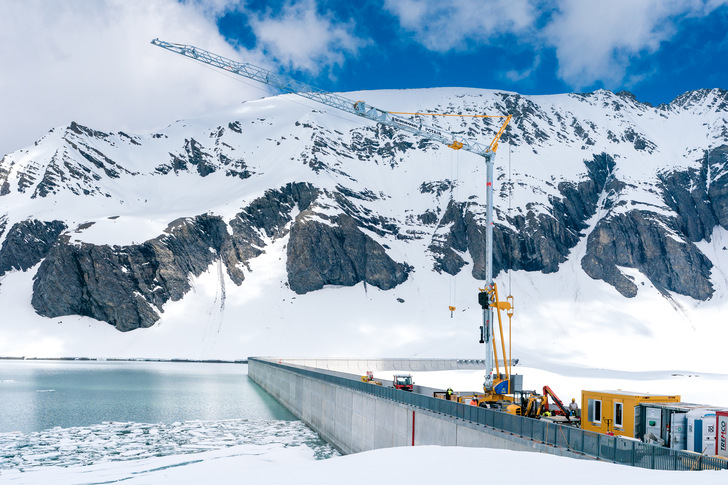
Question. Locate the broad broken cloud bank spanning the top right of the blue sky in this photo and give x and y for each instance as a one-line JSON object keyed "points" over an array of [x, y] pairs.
{"points": [[594, 40]]}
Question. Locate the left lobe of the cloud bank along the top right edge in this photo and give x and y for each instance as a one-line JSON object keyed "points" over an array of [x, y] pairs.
{"points": [[442, 25]]}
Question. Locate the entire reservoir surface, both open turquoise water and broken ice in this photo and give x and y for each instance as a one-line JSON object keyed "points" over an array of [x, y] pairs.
{"points": [[64, 413]]}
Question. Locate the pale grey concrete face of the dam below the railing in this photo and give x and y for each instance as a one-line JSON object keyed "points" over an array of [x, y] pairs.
{"points": [[355, 416]]}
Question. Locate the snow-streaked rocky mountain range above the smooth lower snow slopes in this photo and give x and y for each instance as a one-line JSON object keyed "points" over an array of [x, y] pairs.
{"points": [[351, 210]]}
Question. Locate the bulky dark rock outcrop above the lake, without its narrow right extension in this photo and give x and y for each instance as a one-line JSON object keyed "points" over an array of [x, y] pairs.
{"points": [[126, 286]]}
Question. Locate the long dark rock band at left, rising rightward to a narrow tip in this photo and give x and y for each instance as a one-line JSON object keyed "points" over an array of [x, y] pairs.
{"points": [[127, 286]]}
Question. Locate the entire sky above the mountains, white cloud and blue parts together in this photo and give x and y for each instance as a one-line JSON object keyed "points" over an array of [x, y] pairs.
{"points": [[91, 61]]}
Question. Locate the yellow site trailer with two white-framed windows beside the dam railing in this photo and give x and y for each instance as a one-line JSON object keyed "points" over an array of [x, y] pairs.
{"points": [[613, 412]]}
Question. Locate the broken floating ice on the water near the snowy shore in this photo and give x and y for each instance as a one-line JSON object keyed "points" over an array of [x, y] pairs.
{"points": [[130, 441]]}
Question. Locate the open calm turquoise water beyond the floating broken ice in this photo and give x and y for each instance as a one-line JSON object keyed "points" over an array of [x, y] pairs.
{"points": [[38, 395]]}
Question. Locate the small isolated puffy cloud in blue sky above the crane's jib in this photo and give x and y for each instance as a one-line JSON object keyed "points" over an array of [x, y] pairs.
{"points": [[301, 38]]}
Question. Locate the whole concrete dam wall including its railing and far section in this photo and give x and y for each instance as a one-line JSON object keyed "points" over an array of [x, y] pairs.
{"points": [[357, 416]]}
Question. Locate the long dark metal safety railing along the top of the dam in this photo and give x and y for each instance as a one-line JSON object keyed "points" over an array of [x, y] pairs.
{"points": [[596, 445]]}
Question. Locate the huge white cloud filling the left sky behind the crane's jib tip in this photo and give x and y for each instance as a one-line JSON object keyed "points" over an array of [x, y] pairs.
{"points": [[92, 62]]}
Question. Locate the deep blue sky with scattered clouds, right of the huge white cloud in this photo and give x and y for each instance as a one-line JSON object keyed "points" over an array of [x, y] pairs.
{"points": [[655, 49]]}
